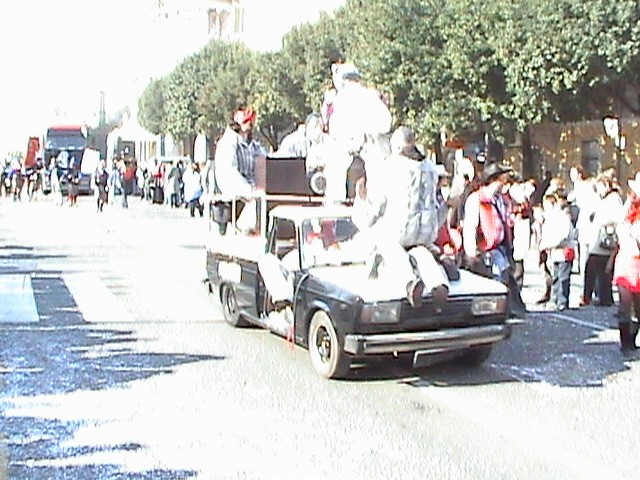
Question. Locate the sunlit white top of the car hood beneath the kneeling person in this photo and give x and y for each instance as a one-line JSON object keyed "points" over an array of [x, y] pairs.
{"points": [[355, 279]]}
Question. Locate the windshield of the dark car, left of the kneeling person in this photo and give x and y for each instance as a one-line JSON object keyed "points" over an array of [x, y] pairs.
{"points": [[331, 241]]}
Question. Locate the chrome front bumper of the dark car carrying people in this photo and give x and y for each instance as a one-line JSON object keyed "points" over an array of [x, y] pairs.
{"points": [[436, 341]]}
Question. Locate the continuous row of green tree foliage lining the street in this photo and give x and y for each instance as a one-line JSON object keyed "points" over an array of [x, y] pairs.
{"points": [[462, 65]]}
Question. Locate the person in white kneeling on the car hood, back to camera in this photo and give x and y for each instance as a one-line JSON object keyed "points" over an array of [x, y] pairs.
{"points": [[398, 210]]}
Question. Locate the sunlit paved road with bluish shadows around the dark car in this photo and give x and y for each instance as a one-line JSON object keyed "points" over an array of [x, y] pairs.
{"points": [[115, 363]]}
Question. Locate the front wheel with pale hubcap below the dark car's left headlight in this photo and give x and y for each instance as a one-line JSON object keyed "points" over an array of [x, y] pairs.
{"points": [[325, 350]]}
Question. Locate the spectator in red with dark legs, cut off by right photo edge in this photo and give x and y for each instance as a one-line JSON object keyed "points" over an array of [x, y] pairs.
{"points": [[627, 267]]}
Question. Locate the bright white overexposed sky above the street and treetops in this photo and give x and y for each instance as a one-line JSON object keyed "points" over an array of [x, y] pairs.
{"points": [[58, 55]]}
